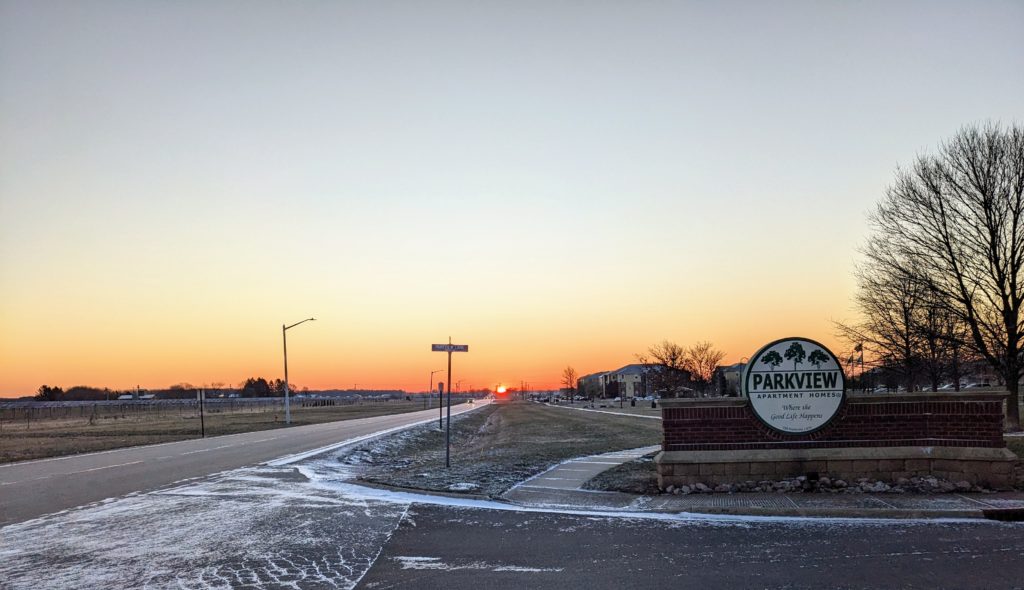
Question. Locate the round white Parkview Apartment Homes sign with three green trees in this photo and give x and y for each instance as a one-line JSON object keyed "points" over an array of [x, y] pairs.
{"points": [[795, 386]]}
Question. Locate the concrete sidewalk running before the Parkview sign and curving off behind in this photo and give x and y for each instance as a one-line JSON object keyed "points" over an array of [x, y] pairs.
{"points": [[561, 487]]}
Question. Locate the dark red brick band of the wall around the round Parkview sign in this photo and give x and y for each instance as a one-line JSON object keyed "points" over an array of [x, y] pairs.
{"points": [[901, 420]]}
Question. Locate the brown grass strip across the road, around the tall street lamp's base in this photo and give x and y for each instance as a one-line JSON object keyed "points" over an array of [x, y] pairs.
{"points": [[57, 439]]}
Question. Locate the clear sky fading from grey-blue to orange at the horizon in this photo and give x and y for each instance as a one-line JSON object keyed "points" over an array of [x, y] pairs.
{"points": [[554, 184]]}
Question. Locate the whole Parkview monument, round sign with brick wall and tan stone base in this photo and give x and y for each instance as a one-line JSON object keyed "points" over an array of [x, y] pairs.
{"points": [[795, 418]]}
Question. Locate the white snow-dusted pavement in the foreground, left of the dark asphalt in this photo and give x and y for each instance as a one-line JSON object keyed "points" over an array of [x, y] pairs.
{"points": [[255, 528]]}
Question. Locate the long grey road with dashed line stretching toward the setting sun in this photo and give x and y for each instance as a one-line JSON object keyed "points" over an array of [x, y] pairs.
{"points": [[33, 489]]}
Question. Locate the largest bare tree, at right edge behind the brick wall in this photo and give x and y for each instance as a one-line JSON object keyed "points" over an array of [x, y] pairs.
{"points": [[956, 223]]}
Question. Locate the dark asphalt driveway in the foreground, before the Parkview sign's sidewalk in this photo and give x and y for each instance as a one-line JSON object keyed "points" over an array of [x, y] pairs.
{"points": [[453, 549]]}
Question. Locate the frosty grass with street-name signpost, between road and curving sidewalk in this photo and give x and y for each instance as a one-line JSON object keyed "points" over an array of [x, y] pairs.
{"points": [[497, 447]]}
